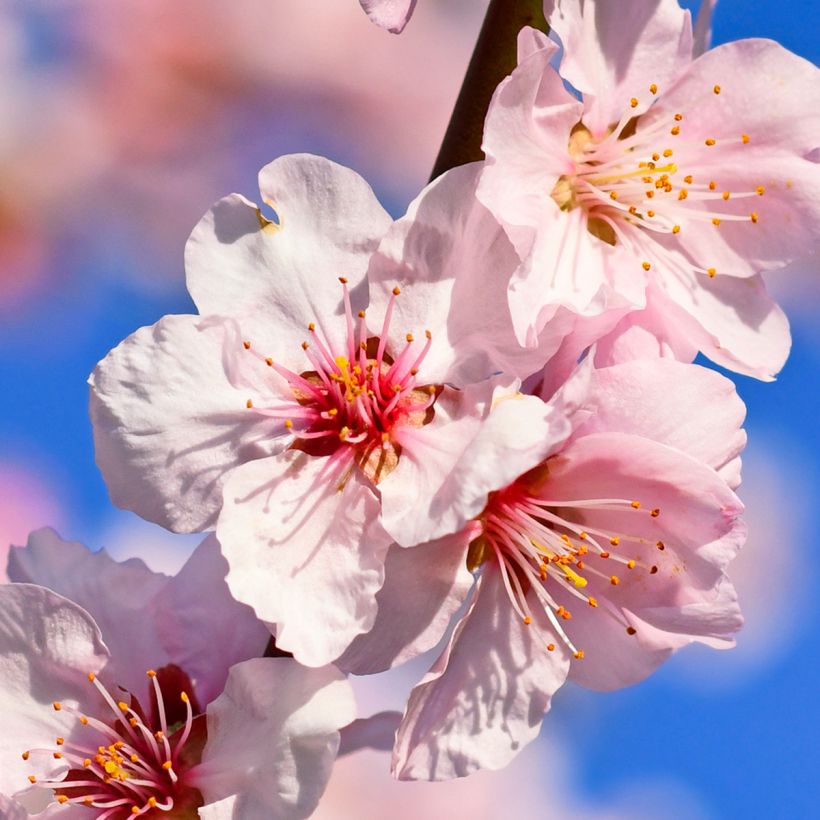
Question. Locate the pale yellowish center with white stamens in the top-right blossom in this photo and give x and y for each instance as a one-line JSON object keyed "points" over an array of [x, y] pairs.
{"points": [[643, 175]]}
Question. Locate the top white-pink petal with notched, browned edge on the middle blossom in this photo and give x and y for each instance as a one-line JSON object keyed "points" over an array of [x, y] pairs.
{"points": [[241, 265]]}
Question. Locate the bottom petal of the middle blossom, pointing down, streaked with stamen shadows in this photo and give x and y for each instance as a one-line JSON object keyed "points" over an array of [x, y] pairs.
{"points": [[307, 555]]}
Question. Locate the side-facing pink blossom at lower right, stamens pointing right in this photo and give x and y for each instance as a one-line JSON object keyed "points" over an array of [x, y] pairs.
{"points": [[599, 525]]}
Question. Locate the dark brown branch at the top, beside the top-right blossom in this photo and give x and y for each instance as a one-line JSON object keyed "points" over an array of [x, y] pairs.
{"points": [[494, 57]]}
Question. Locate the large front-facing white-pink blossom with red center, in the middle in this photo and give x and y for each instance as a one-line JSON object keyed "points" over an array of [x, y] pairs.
{"points": [[304, 397]]}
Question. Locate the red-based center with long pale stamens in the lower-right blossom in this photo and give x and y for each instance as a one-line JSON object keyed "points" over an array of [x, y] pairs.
{"points": [[540, 545]]}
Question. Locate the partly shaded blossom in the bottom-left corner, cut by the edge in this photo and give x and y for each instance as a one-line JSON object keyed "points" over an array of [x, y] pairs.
{"points": [[83, 728]]}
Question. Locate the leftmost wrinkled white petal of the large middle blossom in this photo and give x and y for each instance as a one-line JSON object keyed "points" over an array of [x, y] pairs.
{"points": [[170, 420]]}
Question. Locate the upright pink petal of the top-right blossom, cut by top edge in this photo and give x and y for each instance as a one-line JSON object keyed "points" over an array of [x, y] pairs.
{"points": [[614, 51]]}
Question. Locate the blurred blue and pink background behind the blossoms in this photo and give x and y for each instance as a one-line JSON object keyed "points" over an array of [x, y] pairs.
{"points": [[122, 120]]}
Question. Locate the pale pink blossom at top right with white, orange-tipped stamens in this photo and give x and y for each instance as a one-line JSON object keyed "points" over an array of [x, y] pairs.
{"points": [[682, 177]]}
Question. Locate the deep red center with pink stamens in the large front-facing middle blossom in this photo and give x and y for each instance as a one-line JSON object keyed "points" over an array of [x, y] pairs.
{"points": [[357, 397]]}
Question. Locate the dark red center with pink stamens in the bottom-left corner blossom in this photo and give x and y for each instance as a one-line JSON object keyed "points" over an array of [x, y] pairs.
{"points": [[128, 766]]}
